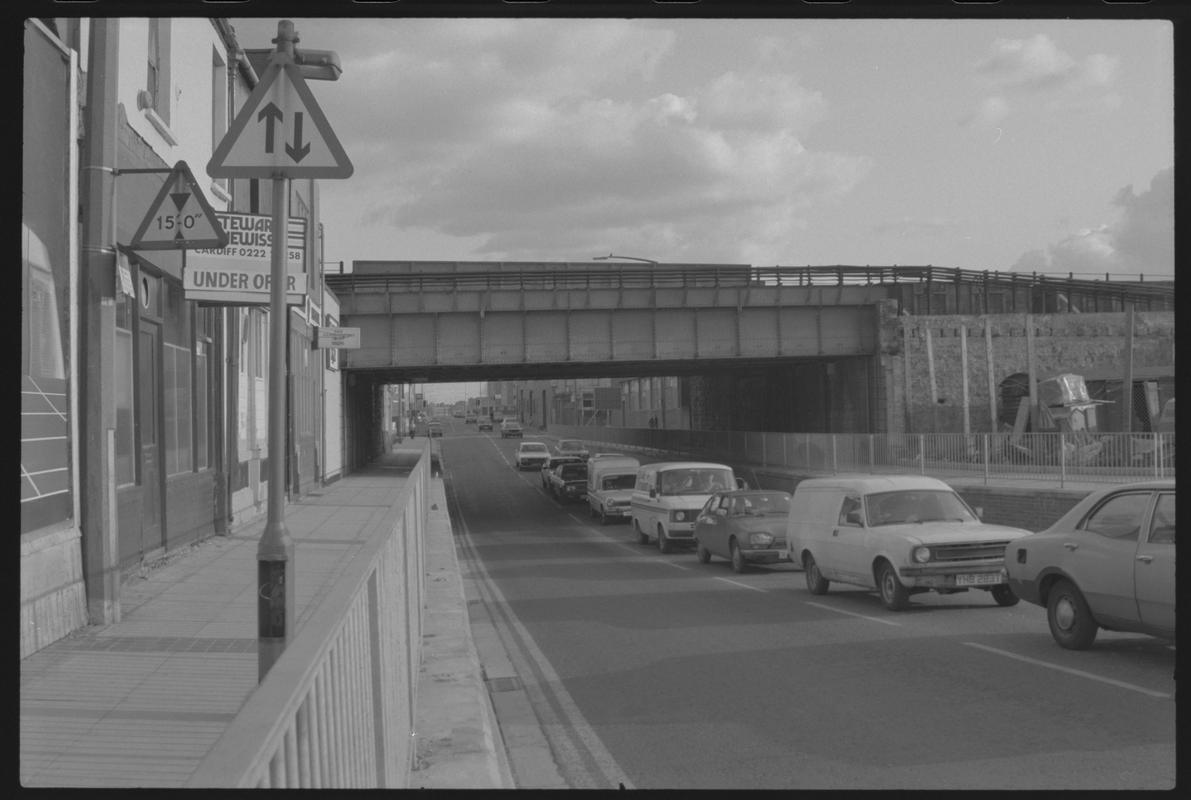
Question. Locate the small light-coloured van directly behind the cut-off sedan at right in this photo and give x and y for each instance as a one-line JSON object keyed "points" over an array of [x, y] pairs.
{"points": [[900, 535]]}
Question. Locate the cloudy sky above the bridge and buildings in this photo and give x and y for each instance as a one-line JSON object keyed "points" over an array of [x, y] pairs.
{"points": [[1030, 145]]}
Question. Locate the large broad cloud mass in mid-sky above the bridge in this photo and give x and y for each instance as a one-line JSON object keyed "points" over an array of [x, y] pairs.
{"points": [[532, 157]]}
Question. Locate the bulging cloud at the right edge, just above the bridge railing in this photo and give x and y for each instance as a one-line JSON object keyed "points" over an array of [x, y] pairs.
{"points": [[1142, 242]]}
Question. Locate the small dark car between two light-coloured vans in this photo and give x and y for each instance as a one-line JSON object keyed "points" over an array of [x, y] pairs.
{"points": [[745, 527]]}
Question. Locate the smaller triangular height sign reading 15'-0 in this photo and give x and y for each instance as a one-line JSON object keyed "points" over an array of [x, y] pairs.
{"points": [[180, 217]]}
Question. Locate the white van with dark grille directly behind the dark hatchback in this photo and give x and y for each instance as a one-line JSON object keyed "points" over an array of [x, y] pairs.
{"points": [[670, 495]]}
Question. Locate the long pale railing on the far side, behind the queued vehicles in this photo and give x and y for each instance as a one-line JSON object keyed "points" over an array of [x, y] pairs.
{"points": [[1050, 458]]}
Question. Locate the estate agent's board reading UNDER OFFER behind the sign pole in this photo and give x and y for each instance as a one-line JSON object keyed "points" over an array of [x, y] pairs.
{"points": [[240, 273]]}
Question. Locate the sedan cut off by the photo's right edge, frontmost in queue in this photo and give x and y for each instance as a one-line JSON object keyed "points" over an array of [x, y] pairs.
{"points": [[1108, 562]]}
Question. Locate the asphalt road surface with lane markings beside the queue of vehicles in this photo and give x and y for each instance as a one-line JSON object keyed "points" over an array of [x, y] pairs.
{"points": [[658, 672]]}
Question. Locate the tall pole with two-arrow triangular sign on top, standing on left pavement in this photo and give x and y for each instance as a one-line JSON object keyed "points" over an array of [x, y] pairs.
{"points": [[280, 134]]}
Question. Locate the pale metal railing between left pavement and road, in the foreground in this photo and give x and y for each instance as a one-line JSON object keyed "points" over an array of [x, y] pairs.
{"points": [[338, 709]]}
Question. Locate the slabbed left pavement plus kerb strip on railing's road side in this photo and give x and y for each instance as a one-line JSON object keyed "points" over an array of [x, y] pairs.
{"points": [[141, 702]]}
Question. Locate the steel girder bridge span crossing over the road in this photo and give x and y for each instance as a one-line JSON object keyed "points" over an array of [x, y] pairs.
{"points": [[459, 322]]}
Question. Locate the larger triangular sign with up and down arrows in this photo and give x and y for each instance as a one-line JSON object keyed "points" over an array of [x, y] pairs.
{"points": [[280, 133]]}
